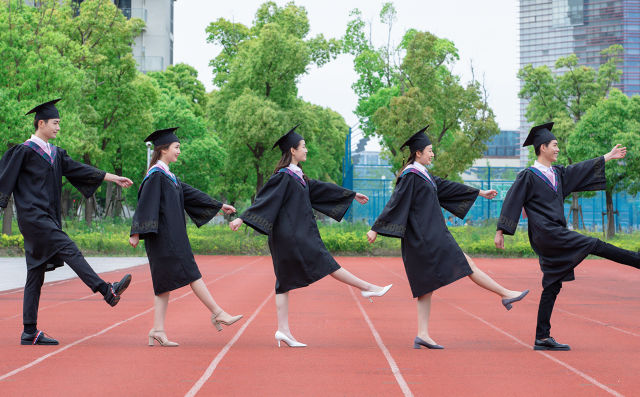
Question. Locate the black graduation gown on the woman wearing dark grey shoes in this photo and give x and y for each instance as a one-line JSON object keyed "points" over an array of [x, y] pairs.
{"points": [[431, 256]]}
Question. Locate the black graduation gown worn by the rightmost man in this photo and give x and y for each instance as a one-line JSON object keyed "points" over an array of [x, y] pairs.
{"points": [[560, 250]]}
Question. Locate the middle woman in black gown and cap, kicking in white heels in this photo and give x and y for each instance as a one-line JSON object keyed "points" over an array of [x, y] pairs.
{"points": [[283, 210]]}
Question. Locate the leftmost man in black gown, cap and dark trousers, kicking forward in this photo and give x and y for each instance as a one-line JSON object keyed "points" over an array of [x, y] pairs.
{"points": [[33, 172]]}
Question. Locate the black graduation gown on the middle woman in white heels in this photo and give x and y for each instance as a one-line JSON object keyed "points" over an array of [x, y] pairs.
{"points": [[283, 210]]}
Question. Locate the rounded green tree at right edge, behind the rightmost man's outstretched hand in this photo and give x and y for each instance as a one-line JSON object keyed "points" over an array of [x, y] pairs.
{"points": [[613, 120]]}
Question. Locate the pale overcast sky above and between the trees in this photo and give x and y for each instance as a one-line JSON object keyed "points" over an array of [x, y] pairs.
{"points": [[485, 33]]}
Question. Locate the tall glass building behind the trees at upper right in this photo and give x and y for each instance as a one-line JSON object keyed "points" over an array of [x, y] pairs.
{"points": [[550, 29]]}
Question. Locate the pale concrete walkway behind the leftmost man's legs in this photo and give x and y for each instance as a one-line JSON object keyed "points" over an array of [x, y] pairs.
{"points": [[14, 269]]}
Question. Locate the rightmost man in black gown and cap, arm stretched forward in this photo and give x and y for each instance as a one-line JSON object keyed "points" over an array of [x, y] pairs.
{"points": [[541, 190]]}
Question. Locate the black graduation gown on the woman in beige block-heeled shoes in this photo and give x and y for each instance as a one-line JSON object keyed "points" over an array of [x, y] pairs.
{"points": [[159, 220]]}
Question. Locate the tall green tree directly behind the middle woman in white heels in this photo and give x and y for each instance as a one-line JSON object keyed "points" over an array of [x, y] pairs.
{"points": [[257, 73]]}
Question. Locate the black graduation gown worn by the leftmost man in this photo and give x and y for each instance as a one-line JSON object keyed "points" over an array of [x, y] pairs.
{"points": [[35, 179]]}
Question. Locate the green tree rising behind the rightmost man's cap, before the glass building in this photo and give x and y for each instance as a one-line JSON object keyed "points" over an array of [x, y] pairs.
{"points": [[565, 95]]}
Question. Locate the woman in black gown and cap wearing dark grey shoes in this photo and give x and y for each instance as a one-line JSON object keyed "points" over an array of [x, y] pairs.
{"points": [[432, 258]]}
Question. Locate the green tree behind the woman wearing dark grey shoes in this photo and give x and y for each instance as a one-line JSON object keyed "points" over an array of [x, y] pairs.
{"points": [[401, 89]]}
